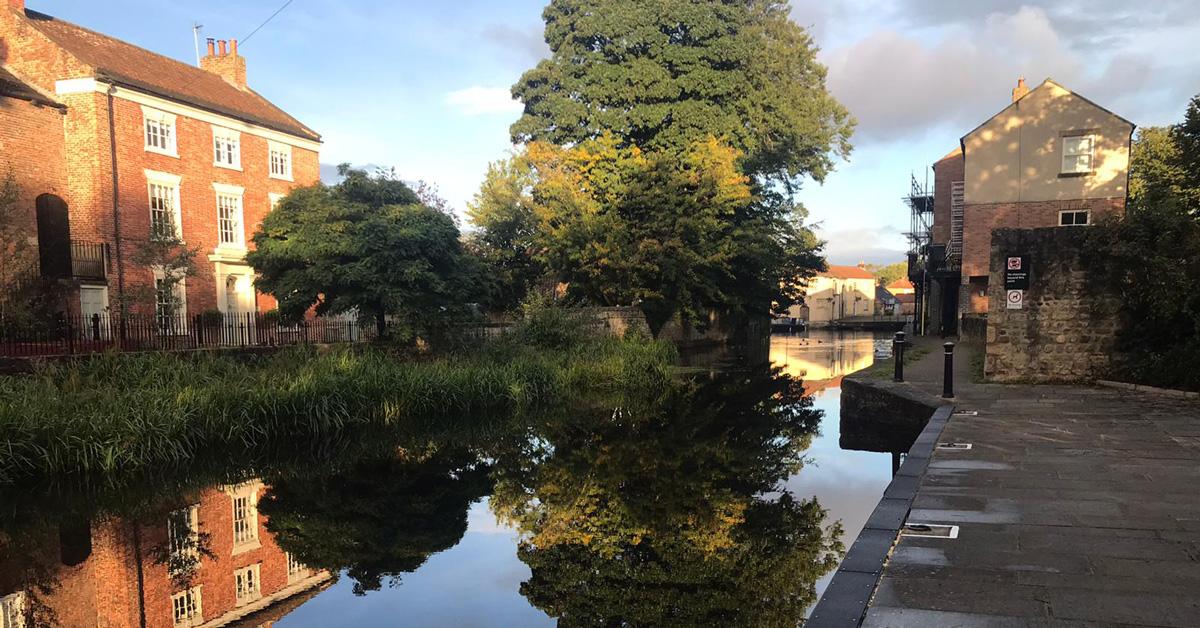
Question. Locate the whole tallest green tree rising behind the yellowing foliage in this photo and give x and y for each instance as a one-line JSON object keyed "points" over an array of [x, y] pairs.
{"points": [[662, 77]]}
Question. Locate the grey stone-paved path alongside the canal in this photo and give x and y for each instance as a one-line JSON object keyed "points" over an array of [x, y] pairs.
{"points": [[1077, 507]]}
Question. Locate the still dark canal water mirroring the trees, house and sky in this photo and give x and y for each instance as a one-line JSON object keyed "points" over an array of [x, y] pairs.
{"points": [[724, 504]]}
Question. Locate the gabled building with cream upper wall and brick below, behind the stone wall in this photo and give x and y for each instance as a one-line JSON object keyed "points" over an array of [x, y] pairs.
{"points": [[1051, 159]]}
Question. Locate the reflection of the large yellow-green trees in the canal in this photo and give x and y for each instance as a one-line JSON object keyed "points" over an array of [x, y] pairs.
{"points": [[667, 512]]}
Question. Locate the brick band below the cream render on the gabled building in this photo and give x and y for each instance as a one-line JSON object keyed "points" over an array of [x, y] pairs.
{"points": [[980, 220]]}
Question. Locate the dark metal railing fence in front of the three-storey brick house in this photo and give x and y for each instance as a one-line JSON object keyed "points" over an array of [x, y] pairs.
{"points": [[67, 336]]}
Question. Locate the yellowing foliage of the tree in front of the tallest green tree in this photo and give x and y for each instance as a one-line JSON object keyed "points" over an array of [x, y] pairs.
{"points": [[677, 234]]}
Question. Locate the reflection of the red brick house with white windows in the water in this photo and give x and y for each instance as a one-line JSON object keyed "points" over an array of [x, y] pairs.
{"points": [[207, 563]]}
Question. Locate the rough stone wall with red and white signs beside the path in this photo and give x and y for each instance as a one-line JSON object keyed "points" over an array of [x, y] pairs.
{"points": [[1066, 331]]}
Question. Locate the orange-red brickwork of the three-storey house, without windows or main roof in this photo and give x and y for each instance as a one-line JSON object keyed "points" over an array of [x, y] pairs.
{"points": [[74, 157]]}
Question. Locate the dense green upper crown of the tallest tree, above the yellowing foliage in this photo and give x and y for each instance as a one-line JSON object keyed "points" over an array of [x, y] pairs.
{"points": [[665, 74]]}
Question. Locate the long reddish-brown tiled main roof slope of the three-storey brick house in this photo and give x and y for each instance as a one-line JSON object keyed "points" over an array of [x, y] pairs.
{"points": [[146, 71]]}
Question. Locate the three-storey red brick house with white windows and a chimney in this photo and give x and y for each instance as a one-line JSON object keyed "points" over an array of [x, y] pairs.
{"points": [[111, 143]]}
